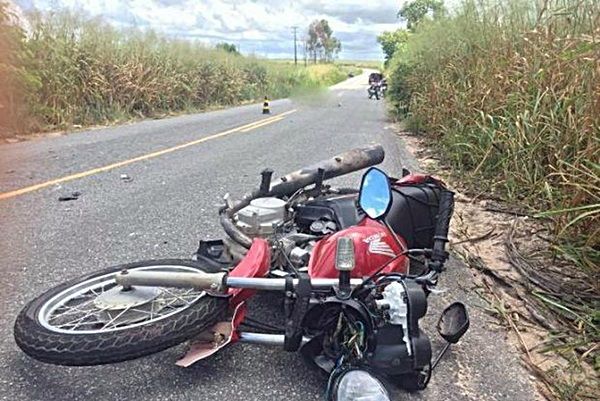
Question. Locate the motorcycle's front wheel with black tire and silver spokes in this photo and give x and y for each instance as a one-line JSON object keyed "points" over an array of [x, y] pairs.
{"points": [[45, 338]]}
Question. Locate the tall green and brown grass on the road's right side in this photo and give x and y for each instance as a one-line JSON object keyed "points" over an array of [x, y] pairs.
{"points": [[510, 92]]}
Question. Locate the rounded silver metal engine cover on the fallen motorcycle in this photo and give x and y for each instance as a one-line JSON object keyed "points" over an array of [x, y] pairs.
{"points": [[261, 217]]}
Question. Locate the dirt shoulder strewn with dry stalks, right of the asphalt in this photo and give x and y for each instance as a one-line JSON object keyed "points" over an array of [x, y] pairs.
{"points": [[514, 271]]}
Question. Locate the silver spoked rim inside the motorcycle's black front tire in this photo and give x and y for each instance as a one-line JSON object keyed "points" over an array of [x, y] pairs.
{"points": [[83, 307]]}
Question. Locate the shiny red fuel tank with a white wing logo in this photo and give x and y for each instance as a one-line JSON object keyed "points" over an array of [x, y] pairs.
{"points": [[374, 245]]}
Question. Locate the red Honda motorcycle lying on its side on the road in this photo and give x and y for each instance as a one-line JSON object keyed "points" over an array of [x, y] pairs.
{"points": [[354, 267]]}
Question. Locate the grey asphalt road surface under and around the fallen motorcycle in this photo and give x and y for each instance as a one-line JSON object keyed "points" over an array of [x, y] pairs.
{"points": [[169, 205]]}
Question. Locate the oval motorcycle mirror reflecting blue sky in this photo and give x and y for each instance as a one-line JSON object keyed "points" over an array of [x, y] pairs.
{"points": [[375, 193]]}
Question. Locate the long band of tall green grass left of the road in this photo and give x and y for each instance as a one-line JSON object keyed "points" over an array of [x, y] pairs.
{"points": [[69, 70]]}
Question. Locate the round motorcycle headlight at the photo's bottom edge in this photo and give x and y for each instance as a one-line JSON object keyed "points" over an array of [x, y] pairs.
{"points": [[359, 385]]}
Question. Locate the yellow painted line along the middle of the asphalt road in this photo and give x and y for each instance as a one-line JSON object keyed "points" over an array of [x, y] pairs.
{"points": [[243, 128]]}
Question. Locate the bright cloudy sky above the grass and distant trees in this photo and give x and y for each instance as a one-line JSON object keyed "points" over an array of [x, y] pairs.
{"points": [[261, 27]]}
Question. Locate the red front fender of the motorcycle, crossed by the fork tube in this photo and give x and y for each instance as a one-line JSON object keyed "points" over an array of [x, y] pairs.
{"points": [[255, 264]]}
